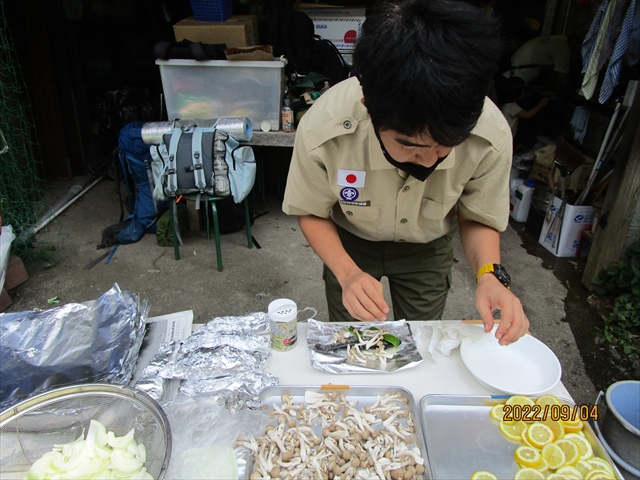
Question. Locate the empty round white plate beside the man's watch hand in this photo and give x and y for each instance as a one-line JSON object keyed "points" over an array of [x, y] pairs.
{"points": [[526, 367]]}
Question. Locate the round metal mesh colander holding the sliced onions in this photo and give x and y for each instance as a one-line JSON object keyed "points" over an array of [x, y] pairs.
{"points": [[31, 428]]}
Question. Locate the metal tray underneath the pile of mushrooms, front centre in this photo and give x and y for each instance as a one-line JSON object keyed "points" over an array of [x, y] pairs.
{"points": [[364, 395]]}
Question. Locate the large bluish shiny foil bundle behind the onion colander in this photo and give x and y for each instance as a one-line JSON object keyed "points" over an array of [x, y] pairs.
{"points": [[95, 341]]}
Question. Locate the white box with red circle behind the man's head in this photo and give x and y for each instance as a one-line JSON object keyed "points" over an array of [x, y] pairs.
{"points": [[341, 26]]}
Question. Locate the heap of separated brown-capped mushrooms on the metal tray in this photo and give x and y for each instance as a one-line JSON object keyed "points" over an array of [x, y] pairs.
{"points": [[327, 437]]}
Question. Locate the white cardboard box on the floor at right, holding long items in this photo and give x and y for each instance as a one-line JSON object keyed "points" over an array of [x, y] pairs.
{"points": [[576, 219]]}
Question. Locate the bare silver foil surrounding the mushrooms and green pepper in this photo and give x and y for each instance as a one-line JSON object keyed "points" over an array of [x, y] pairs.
{"points": [[321, 334]]}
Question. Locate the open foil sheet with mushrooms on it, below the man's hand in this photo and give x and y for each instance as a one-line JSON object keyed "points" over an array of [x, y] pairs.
{"points": [[330, 355]]}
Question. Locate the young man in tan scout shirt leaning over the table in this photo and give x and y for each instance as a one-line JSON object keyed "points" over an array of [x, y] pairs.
{"points": [[387, 165]]}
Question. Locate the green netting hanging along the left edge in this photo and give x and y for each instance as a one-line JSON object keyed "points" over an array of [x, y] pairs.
{"points": [[20, 185]]}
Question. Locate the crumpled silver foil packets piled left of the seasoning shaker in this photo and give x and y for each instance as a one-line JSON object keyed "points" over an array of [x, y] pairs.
{"points": [[223, 358]]}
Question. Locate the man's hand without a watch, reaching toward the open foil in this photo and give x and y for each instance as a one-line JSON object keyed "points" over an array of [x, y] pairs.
{"points": [[363, 298]]}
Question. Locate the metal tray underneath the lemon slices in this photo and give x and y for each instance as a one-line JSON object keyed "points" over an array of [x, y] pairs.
{"points": [[462, 438]]}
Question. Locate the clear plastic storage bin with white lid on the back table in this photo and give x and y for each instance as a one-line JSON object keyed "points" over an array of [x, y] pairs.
{"points": [[221, 88]]}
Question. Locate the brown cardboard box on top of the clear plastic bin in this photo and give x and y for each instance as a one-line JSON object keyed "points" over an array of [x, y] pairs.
{"points": [[238, 31]]}
